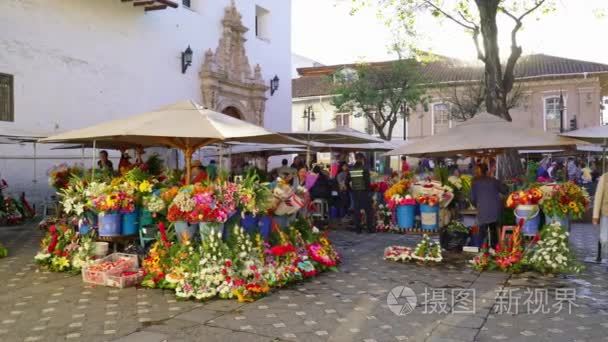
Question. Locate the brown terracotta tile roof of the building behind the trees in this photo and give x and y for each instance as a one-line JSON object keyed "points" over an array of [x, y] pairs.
{"points": [[316, 81]]}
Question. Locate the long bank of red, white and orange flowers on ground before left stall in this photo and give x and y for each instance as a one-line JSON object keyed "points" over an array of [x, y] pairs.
{"points": [[243, 267]]}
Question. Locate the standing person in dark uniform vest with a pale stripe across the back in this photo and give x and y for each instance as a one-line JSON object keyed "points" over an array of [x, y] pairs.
{"points": [[359, 180]]}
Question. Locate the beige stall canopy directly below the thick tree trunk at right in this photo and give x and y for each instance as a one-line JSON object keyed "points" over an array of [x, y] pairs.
{"points": [[485, 133]]}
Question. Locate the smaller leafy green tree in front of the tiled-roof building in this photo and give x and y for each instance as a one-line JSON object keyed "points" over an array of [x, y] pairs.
{"points": [[380, 93]]}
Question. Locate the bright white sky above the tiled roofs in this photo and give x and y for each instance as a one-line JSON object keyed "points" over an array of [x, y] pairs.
{"points": [[324, 30]]}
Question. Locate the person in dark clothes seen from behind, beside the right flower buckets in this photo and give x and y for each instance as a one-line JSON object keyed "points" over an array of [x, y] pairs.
{"points": [[485, 196]]}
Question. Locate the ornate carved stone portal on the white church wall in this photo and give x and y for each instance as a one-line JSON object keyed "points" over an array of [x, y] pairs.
{"points": [[227, 79]]}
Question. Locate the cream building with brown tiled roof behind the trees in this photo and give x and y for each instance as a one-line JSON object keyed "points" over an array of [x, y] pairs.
{"points": [[541, 79]]}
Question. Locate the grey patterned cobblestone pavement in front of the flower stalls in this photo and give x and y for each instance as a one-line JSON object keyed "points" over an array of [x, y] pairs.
{"points": [[350, 305]]}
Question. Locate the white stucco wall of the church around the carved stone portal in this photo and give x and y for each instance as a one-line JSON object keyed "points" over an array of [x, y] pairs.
{"points": [[77, 63]]}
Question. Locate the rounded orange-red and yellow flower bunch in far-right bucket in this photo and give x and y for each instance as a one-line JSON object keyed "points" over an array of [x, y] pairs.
{"points": [[564, 200]]}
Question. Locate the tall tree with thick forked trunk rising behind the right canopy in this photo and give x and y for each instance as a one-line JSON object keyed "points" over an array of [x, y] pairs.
{"points": [[479, 19]]}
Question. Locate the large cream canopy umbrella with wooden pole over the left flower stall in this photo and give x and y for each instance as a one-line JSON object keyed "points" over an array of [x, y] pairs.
{"points": [[185, 125]]}
